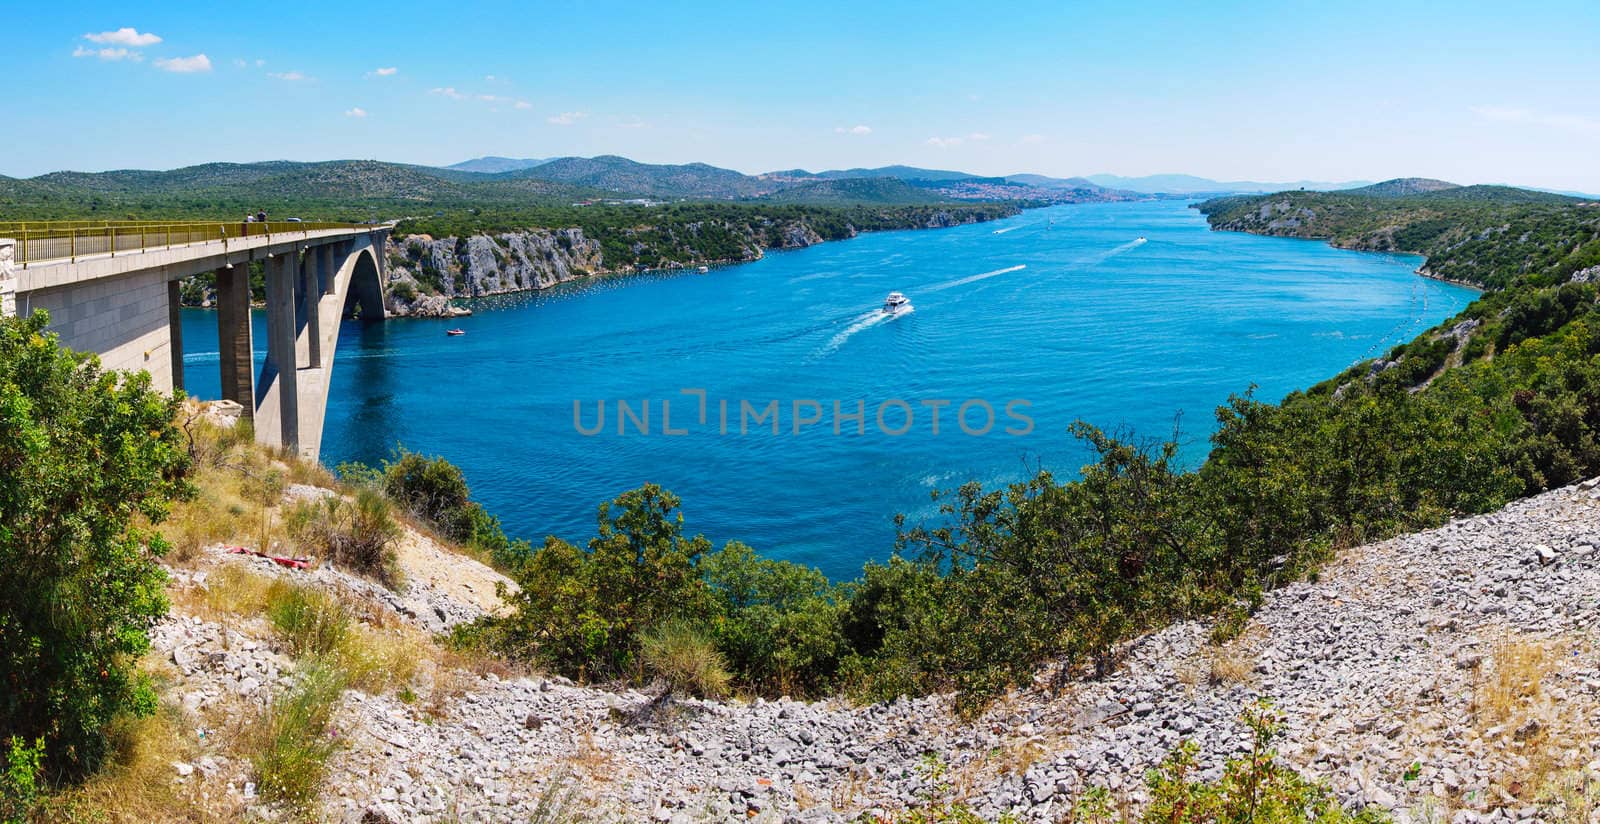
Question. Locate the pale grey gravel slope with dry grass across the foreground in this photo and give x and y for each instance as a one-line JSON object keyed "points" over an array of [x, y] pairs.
{"points": [[1446, 676]]}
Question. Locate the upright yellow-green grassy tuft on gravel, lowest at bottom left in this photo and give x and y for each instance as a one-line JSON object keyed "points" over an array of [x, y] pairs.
{"points": [[295, 740]]}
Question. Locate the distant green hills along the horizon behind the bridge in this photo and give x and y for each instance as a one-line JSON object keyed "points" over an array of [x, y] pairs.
{"points": [[377, 191]]}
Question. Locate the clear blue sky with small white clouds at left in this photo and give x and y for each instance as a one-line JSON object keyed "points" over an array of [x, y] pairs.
{"points": [[1466, 92]]}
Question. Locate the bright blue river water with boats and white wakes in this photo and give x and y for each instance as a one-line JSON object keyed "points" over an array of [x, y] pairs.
{"points": [[1042, 319]]}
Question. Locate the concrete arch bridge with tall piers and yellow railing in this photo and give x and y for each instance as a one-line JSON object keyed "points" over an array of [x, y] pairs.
{"points": [[113, 289]]}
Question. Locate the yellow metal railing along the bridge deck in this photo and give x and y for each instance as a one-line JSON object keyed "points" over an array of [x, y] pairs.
{"points": [[70, 241]]}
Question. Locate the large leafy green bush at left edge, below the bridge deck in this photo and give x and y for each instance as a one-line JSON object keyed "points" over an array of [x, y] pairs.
{"points": [[89, 460]]}
